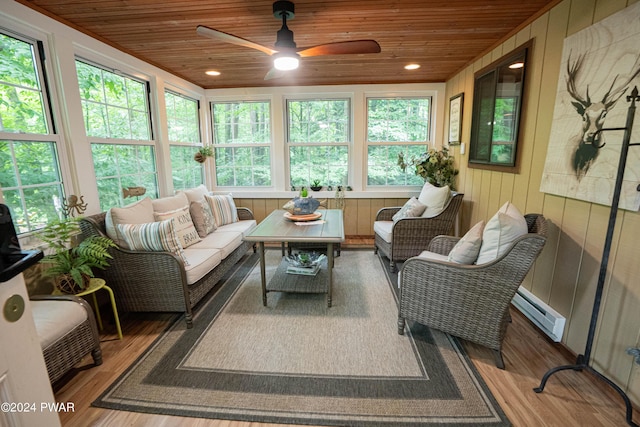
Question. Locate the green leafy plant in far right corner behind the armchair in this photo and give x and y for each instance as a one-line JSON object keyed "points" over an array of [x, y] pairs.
{"points": [[435, 167]]}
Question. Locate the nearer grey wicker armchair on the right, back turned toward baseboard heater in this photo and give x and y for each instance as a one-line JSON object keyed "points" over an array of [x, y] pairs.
{"points": [[468, 301]]}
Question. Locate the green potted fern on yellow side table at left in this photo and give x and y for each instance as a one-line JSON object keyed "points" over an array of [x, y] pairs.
{"points": [[70, 265]]}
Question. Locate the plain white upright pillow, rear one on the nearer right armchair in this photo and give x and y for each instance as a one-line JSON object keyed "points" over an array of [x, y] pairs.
{"points": [[500, 232]]}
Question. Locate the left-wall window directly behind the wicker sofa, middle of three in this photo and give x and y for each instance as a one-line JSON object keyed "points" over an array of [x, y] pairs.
{"points": [[117, 120]]}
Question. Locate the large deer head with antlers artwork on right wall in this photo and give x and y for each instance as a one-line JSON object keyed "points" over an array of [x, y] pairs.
{"points": [[600, 65]]}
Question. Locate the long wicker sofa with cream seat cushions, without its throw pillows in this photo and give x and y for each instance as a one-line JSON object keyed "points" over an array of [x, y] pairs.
{"points": [[159, 281]]}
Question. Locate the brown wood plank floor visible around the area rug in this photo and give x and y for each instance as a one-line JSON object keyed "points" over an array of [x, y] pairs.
{"points": [[569, 399]]}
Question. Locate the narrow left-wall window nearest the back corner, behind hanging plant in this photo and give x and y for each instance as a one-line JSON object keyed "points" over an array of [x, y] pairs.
{"points": [[183, 122]]}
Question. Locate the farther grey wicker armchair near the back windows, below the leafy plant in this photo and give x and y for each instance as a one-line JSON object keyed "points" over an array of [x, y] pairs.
{"points": [[411, 236]]}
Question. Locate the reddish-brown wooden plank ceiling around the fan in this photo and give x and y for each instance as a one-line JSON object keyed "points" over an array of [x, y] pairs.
{"points": [[442, 36]]}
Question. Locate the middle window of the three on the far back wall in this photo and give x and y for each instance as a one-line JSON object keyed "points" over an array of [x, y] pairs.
{"points": [[319, 134]]}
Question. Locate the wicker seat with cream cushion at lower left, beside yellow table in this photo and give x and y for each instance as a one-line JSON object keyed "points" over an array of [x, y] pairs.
{"points": [[72, 345]]}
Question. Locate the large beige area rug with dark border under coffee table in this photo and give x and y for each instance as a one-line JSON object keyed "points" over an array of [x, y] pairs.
{"points": [[297, 361]]}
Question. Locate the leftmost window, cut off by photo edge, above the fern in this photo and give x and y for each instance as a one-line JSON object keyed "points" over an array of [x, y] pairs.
{"points": [[30, 179]]}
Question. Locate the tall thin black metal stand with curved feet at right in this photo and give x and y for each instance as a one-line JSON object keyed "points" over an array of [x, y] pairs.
{"points": [[582, 362]]}
